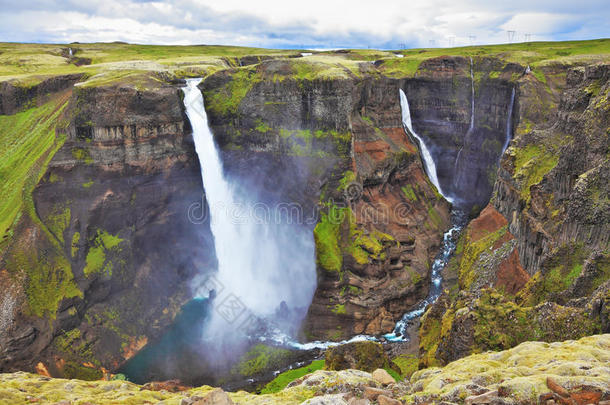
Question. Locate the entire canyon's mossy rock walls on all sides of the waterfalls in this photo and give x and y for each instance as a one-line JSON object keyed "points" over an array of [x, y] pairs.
{"points": [[115, 231]]}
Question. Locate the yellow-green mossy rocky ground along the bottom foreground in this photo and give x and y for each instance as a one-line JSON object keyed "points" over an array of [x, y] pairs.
{"points": [[570, 372]]}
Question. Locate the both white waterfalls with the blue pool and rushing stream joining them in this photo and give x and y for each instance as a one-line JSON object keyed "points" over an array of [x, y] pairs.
{"points": [[250, 257]]}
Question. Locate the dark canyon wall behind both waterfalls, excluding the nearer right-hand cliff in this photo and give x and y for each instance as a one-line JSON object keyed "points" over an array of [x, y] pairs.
{"points": [[103, 261]]}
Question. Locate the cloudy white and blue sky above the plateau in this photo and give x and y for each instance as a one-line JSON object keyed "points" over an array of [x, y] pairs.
{"points": [[303, 24]]}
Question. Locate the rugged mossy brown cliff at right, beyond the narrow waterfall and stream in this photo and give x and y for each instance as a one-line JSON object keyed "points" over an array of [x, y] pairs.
{"points": [[534, 264]]}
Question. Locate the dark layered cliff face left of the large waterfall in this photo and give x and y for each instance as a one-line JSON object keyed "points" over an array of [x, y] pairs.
{"points": [[123, 186]]}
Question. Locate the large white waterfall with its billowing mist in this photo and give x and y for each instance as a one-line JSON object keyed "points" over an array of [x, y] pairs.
{"points": [[260, 263]]}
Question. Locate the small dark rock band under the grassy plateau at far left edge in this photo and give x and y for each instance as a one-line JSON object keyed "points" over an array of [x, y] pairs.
{"points": [[14, 98]]}
